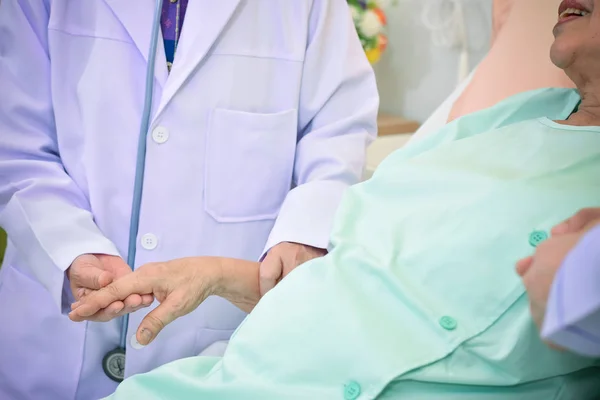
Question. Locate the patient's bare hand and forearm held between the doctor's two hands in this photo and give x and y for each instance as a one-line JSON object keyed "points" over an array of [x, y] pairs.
{"points": [[180, 286]]}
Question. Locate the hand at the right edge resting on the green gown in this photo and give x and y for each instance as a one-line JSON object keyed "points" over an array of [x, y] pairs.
{"points": [[538, 271]]}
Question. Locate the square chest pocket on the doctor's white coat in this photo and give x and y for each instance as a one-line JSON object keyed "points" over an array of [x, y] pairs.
{"points": [[250, 162]]}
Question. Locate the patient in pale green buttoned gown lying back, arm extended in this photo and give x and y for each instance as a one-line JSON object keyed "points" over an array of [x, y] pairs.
{"points": [[418, 297]]}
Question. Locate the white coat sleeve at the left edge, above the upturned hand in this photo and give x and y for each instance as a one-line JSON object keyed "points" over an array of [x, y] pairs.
{"points": [[45, 214]]}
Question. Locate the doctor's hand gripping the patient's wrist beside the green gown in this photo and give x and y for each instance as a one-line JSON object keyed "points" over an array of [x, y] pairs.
{"points": [[281, 260]]}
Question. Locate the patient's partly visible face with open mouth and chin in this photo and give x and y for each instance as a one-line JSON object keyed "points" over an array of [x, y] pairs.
{"points": [[576, 48]]}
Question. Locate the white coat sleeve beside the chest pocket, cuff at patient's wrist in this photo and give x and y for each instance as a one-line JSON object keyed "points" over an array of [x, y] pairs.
{"points": [[337, 121]]}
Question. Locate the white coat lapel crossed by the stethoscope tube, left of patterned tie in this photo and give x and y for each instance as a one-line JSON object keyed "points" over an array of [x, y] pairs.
{"points": [[137, 18]]}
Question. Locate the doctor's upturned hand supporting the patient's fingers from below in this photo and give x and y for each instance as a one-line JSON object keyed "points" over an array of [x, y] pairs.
{"points": [[90, 272]]}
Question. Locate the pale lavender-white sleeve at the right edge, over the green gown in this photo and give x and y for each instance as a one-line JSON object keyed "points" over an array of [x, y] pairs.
{"points": [[573, 312]]}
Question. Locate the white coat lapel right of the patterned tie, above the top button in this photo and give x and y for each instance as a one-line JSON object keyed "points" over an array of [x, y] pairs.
{"points": [[204, 22]]}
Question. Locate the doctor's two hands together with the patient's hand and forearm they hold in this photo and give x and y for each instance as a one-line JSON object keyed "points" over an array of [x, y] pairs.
{"points": [[105, 288]]}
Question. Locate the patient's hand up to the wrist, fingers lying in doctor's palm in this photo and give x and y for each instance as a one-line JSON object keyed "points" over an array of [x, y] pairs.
{"points": [[179, 285]]}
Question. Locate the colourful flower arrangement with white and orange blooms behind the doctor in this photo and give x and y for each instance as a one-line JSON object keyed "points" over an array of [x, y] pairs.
{"points": [[370, 19]]}
